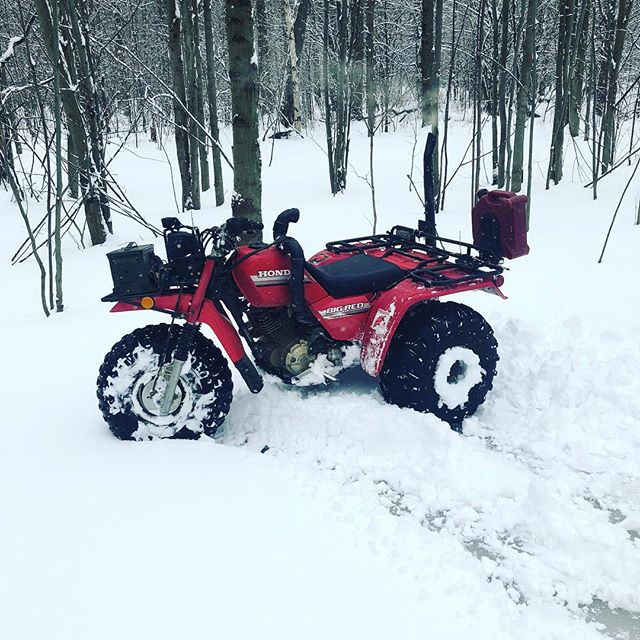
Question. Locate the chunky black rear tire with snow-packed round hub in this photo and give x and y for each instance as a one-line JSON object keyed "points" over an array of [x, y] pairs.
{"points": [[442, 360]]}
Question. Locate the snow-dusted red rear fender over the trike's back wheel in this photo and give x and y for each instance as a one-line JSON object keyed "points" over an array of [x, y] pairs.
{"points": [[388, 309]]}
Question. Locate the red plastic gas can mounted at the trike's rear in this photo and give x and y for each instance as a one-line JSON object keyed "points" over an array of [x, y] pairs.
{"points": [[500, 224]]}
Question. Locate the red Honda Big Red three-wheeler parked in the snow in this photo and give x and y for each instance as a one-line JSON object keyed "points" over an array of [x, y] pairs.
{"points": [[372, 300]]}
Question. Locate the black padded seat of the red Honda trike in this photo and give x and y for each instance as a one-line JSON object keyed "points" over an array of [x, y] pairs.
{"points": [[357, 274]]}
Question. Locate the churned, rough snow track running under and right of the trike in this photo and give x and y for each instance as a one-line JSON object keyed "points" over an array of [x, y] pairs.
{"points": [[541, 491]]}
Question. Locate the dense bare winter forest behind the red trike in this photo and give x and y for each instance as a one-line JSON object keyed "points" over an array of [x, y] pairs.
{"points": [[79, 80]]}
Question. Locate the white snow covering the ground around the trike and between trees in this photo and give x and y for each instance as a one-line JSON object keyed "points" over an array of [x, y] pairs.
{"points": [[361, 520]]}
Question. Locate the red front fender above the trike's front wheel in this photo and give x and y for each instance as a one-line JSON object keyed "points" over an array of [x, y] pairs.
{"points": [[219, 323]]}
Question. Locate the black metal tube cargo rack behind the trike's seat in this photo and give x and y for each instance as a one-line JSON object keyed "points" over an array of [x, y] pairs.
{"points": [[435, 266]]}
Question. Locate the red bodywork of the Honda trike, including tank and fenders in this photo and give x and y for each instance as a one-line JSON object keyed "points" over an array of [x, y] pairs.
{"points": [[263, 279]]}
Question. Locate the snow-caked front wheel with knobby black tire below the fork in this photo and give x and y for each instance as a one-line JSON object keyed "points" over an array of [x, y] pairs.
{"points": [[203, 396]]}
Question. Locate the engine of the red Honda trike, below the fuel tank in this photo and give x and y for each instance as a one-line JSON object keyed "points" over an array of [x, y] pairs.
{"points": [[287, 349]]}
